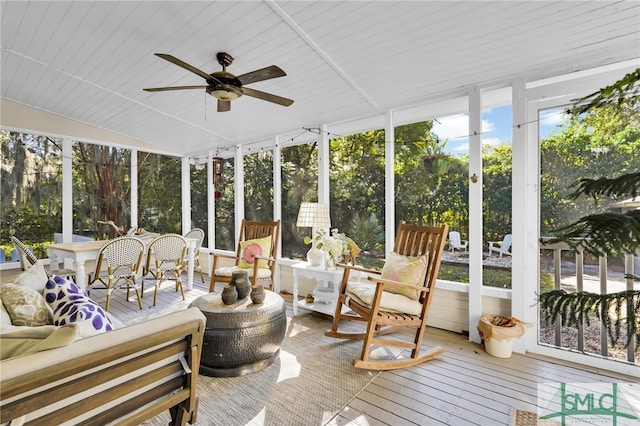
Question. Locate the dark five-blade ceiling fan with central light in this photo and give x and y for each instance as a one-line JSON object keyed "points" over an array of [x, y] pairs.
{"points": [[225, 86]]}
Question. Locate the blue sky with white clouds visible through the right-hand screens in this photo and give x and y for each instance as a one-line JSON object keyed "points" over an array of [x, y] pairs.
{"points": [[496, 127]]}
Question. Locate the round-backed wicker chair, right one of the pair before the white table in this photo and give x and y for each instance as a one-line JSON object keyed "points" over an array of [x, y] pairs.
{"points": [[166, 259]]}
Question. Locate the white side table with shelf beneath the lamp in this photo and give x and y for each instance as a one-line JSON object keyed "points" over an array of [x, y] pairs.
{"points": [[326, 291]]}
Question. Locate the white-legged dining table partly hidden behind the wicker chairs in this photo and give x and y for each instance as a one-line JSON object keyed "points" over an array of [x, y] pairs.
{"points": [[81, 252]]}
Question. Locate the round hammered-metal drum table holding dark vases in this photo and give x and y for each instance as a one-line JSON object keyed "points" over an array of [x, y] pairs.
{"points": [[243, 337]]}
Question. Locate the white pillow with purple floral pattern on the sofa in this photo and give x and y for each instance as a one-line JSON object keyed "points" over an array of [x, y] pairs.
{"points": [[71, 304]]}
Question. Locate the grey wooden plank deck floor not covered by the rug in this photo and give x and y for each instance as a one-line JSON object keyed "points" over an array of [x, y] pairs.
{"points": [[464, 386]]}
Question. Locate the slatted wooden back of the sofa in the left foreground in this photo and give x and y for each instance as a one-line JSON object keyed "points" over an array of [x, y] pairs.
{"points": [[123, 377]]}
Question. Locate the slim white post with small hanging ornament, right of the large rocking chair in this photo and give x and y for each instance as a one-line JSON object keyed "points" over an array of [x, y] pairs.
{"points": [[475, 213]]}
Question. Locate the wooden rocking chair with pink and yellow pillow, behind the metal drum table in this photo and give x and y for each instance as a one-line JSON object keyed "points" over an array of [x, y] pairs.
{"points": [[260, 267]]}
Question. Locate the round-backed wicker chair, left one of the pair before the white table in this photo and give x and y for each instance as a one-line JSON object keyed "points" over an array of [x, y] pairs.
{"points": [[118, 262]]}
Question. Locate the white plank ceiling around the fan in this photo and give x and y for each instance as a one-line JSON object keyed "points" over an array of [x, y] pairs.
{"points": [[89, 61]]}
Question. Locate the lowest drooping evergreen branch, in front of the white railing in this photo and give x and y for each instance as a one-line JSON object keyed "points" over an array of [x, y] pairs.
{"points": [[573, 310]]}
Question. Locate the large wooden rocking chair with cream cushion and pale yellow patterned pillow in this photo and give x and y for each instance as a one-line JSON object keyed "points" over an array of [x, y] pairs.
{"points": [[387, 305]]}
